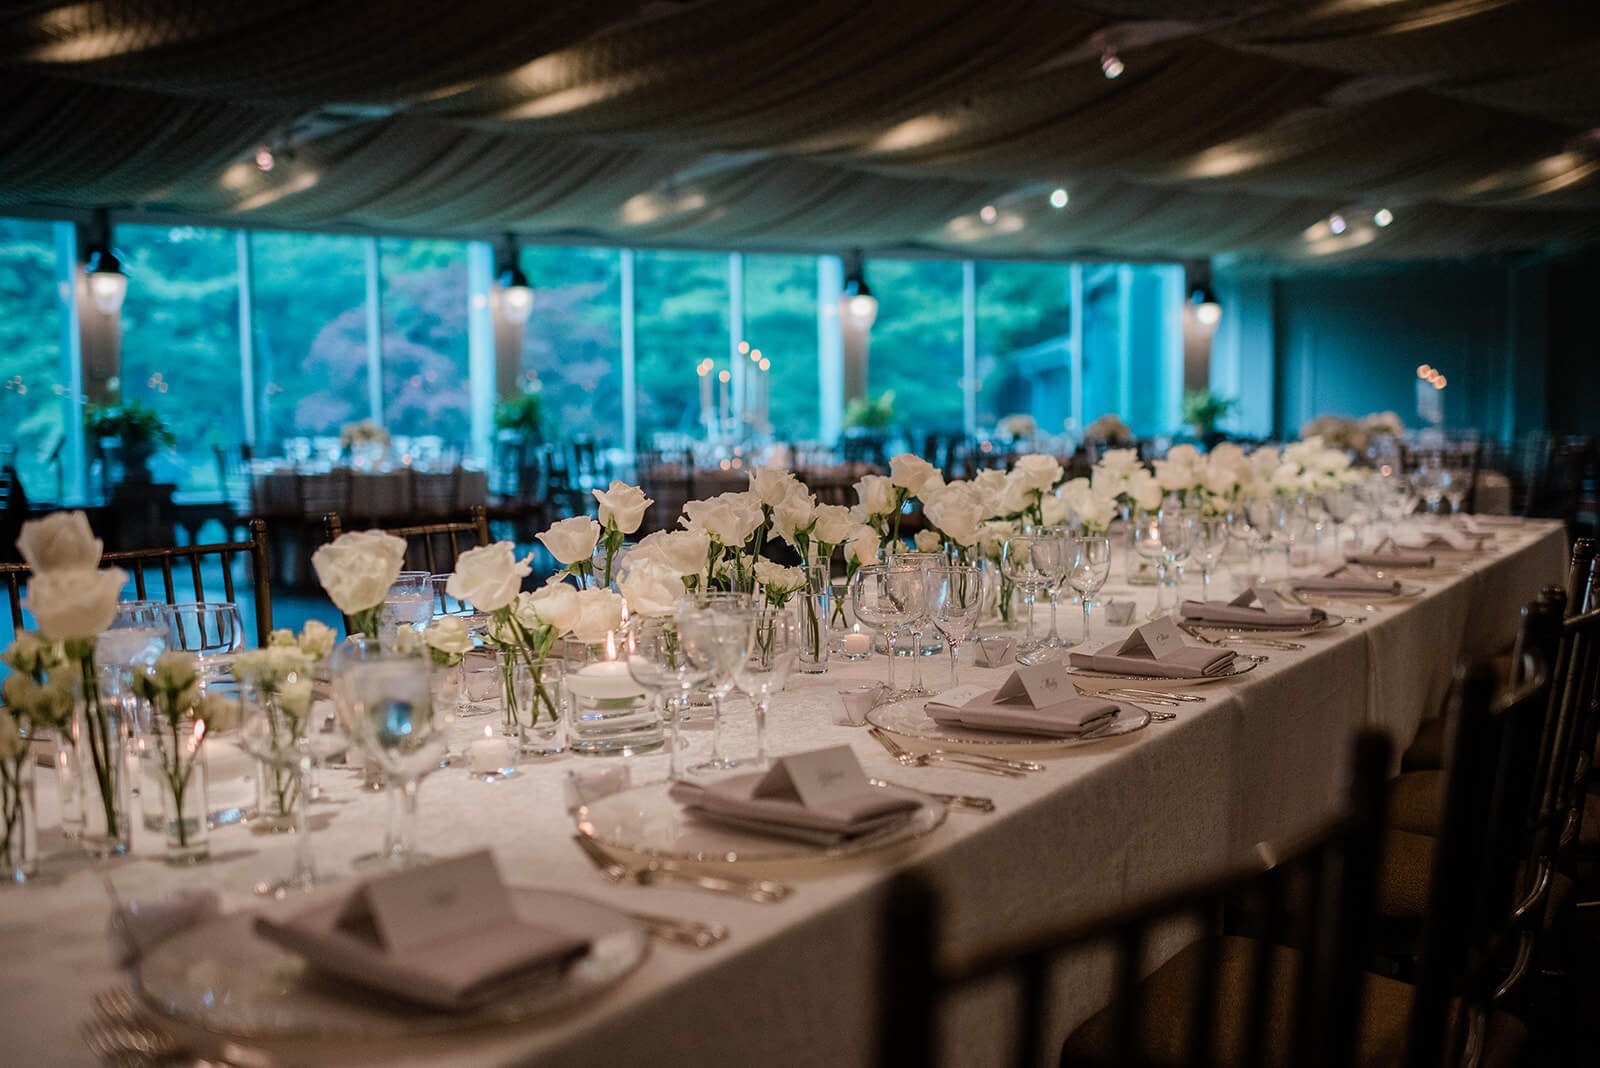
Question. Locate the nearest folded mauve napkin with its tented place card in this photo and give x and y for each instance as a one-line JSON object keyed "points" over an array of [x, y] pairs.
{"points": [[446, 936]]}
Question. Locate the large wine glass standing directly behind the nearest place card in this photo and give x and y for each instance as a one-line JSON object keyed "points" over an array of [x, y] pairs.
{"points": [[386, 703]]}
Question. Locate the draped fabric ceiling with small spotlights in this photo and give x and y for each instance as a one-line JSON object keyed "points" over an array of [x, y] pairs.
{"points": [[1238, 127]]}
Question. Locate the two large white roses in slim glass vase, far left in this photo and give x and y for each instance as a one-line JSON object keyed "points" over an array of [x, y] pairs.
{"points": [[74, 600]]}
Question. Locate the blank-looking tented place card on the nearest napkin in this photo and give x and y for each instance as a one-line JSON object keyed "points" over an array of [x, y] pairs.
{"points": [[430, 904]]}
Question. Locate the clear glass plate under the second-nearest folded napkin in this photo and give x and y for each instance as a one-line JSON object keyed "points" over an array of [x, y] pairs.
{"points": [[649, 823]]}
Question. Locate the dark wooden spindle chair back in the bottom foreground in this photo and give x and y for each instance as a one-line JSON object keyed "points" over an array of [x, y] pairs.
{"points": [[1337, 871]]}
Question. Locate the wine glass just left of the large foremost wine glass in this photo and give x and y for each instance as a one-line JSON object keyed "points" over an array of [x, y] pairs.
{"points": [[292, 739]]}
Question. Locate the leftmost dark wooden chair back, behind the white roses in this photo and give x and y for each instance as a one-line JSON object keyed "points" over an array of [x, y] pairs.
{"points": [[183, 575]]}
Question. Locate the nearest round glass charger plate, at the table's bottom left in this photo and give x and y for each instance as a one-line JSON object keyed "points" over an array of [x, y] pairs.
{"points": [[226, 979]]}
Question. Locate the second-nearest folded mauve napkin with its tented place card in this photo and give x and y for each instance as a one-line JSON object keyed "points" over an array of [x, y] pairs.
{"points": [[822, 799]]}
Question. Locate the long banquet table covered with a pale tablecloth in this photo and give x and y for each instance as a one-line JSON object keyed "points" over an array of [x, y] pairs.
{"points": [[794, 986]]}
